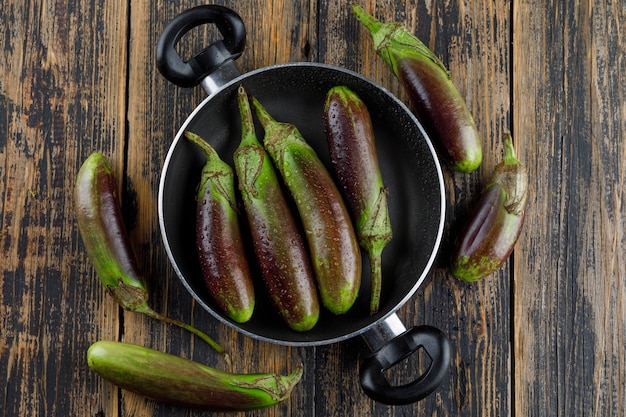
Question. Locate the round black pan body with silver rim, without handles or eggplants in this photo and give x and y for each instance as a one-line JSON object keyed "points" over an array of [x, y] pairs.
{"points": [[296, 93]]}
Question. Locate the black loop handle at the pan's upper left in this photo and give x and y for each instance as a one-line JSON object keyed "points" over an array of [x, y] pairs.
{"points": [[190, 73]]}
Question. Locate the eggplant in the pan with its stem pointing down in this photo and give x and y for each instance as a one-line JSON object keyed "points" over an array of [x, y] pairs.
{"points": [[351, 143]]}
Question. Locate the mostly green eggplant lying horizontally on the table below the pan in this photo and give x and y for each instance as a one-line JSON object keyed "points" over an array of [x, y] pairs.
{"points": [[174, 380]]}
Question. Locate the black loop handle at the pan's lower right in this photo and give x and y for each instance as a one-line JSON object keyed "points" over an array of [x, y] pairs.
{"points": [[372, 372]]}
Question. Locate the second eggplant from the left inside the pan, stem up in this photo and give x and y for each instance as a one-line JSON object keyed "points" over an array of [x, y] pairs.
{"points": [[278, 243]]}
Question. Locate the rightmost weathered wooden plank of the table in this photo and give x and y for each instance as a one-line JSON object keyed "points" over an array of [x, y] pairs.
{"points": [[569, 293]]}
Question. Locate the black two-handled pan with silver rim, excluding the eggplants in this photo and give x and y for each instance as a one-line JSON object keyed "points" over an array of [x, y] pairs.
{"points": [[295, 93]]}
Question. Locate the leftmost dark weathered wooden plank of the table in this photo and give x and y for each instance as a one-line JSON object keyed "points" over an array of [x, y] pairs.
{"points": [[58, 63]]}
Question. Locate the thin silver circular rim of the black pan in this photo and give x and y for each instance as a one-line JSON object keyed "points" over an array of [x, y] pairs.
{"points": [[320, 341]]}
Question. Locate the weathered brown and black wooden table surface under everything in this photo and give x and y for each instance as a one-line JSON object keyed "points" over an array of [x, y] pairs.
{"points": [[544, 336]]}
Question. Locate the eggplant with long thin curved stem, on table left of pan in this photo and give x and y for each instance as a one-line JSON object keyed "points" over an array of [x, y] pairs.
{"points": [[106, 240]]}
